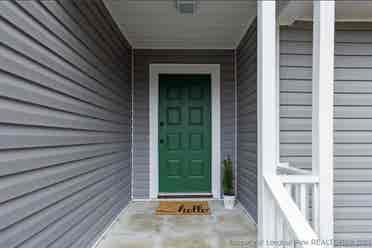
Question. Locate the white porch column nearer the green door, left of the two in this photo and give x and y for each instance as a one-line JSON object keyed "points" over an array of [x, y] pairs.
{"points": [[266, 112]]}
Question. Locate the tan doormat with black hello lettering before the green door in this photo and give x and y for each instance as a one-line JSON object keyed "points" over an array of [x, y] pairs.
{"points": [[183, 208]]}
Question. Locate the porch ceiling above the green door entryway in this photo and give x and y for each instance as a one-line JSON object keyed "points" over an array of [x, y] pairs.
{"points": [[156, 24]]}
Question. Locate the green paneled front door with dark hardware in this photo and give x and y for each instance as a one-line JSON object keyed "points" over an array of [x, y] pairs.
{"points": [[184, 134]]}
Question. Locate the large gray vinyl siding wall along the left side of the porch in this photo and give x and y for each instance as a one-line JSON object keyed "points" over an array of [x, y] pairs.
{"points": [[65, 119]]}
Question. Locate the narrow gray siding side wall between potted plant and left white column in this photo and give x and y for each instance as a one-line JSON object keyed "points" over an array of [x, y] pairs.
{"points": [[246, 55]]}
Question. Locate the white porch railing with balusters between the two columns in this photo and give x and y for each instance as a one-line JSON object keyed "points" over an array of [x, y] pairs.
{"points": [[293, 195]]}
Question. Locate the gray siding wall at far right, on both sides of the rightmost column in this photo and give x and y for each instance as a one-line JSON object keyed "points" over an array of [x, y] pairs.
{"points": [[352, 113]]}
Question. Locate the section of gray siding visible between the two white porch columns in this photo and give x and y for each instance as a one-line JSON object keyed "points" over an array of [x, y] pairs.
{"points": [[295, 95]]}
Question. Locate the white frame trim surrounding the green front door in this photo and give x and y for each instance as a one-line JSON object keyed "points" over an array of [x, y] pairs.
{"points": [[214, 71]]}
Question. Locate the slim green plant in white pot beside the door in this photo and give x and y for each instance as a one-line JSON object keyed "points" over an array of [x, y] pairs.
{"points": [[228, 186]]}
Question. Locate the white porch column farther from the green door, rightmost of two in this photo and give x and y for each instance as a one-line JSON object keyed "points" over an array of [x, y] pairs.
{"points": [[322, 117]]}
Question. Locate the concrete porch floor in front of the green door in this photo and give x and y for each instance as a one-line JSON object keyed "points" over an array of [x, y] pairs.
{"points": [[139, 227]]}
